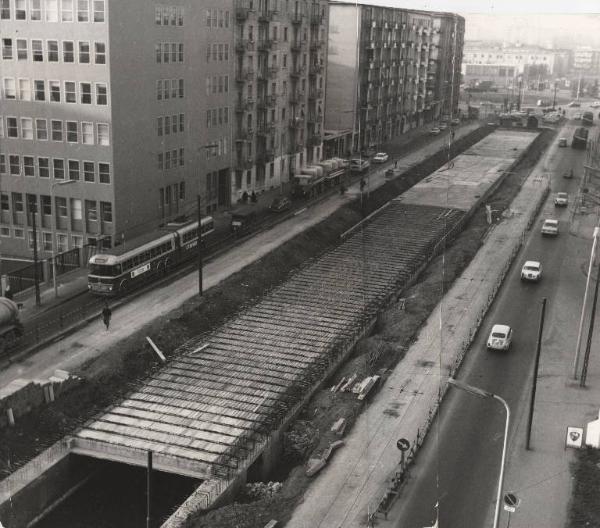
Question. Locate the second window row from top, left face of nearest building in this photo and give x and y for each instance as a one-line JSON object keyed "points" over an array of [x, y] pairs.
{"points": [[54, 51]]}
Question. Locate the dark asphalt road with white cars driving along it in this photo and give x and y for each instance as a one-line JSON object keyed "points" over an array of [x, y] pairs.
{"points": [[459, 464]]}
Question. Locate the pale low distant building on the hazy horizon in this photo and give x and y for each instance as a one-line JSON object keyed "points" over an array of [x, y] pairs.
{"points": [[502, 65]]}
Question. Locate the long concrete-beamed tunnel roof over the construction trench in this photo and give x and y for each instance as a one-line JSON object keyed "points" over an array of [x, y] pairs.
{"points": [[219, 408]]}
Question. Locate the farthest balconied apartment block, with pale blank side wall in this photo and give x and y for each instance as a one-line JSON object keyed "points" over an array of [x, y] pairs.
{"points": [[389, 70]]}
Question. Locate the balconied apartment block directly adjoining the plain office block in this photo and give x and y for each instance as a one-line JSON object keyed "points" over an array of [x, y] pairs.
{"points": [[280, 55]]}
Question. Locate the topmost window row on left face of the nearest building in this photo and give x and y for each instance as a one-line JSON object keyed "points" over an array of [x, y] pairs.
{"points": [[54, 10]]}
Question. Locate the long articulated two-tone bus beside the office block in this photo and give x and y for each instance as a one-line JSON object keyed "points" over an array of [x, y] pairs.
{"points": [[145, 257]]}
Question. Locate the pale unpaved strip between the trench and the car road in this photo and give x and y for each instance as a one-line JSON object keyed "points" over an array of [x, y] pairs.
{"points": [[353, 484]]}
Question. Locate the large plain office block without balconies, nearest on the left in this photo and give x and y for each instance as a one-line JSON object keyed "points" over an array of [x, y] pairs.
{"points": [[114, 117]]}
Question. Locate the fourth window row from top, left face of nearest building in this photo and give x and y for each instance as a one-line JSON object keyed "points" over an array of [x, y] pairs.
{"points": [[71, 131]]}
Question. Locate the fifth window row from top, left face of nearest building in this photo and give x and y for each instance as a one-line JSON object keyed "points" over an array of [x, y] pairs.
{"points": [[43, 167]]}
